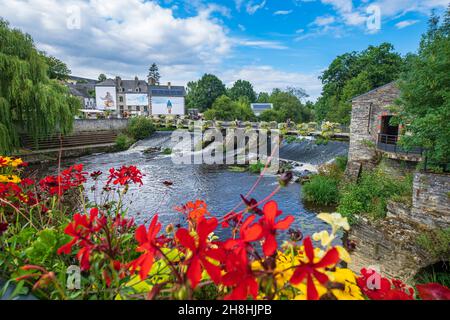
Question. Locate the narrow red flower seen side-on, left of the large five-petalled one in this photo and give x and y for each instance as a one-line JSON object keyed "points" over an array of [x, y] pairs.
{"points": [[148, 246]]}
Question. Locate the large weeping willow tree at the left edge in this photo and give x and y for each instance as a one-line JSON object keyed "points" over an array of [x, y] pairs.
{"points": [[29, 100]]}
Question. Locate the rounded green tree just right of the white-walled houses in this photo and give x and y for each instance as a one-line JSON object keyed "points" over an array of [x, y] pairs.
{"points": [[201, 94]]}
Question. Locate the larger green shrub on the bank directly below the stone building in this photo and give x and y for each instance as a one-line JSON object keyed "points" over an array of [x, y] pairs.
{"points": [[370, 195]]}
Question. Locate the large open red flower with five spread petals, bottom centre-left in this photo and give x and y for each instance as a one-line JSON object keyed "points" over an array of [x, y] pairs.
{"points": [[201, 251]]}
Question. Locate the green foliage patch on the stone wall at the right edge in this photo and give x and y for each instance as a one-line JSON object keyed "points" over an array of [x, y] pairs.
{"points": [[437, 242]]}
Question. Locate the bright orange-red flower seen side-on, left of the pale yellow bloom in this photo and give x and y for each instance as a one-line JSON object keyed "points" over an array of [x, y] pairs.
{"points": [[270, 227]]}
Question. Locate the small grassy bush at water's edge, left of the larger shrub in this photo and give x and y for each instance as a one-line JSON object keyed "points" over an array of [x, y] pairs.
{"points": [[322, 190]]}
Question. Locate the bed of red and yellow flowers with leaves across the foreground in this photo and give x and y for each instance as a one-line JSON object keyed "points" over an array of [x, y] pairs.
{"points": [[42, 239]]}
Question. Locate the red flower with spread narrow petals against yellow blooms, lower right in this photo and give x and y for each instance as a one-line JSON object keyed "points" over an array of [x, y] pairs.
{"points": [[310, 269]]}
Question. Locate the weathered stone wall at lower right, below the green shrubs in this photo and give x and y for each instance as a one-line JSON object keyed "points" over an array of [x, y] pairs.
{"points": [[391, 244]]}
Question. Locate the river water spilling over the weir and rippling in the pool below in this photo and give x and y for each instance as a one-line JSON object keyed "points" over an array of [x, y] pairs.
{"points": [[216, 185]]}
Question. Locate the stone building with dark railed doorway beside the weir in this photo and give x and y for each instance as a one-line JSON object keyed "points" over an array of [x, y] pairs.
{"points": [[372, 134]]}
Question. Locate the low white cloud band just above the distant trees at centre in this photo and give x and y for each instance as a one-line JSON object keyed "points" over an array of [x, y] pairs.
{"points": [[266, 78]]}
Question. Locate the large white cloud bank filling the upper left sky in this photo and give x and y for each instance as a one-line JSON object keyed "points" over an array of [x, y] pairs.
{"points": [[114, 41]]}
